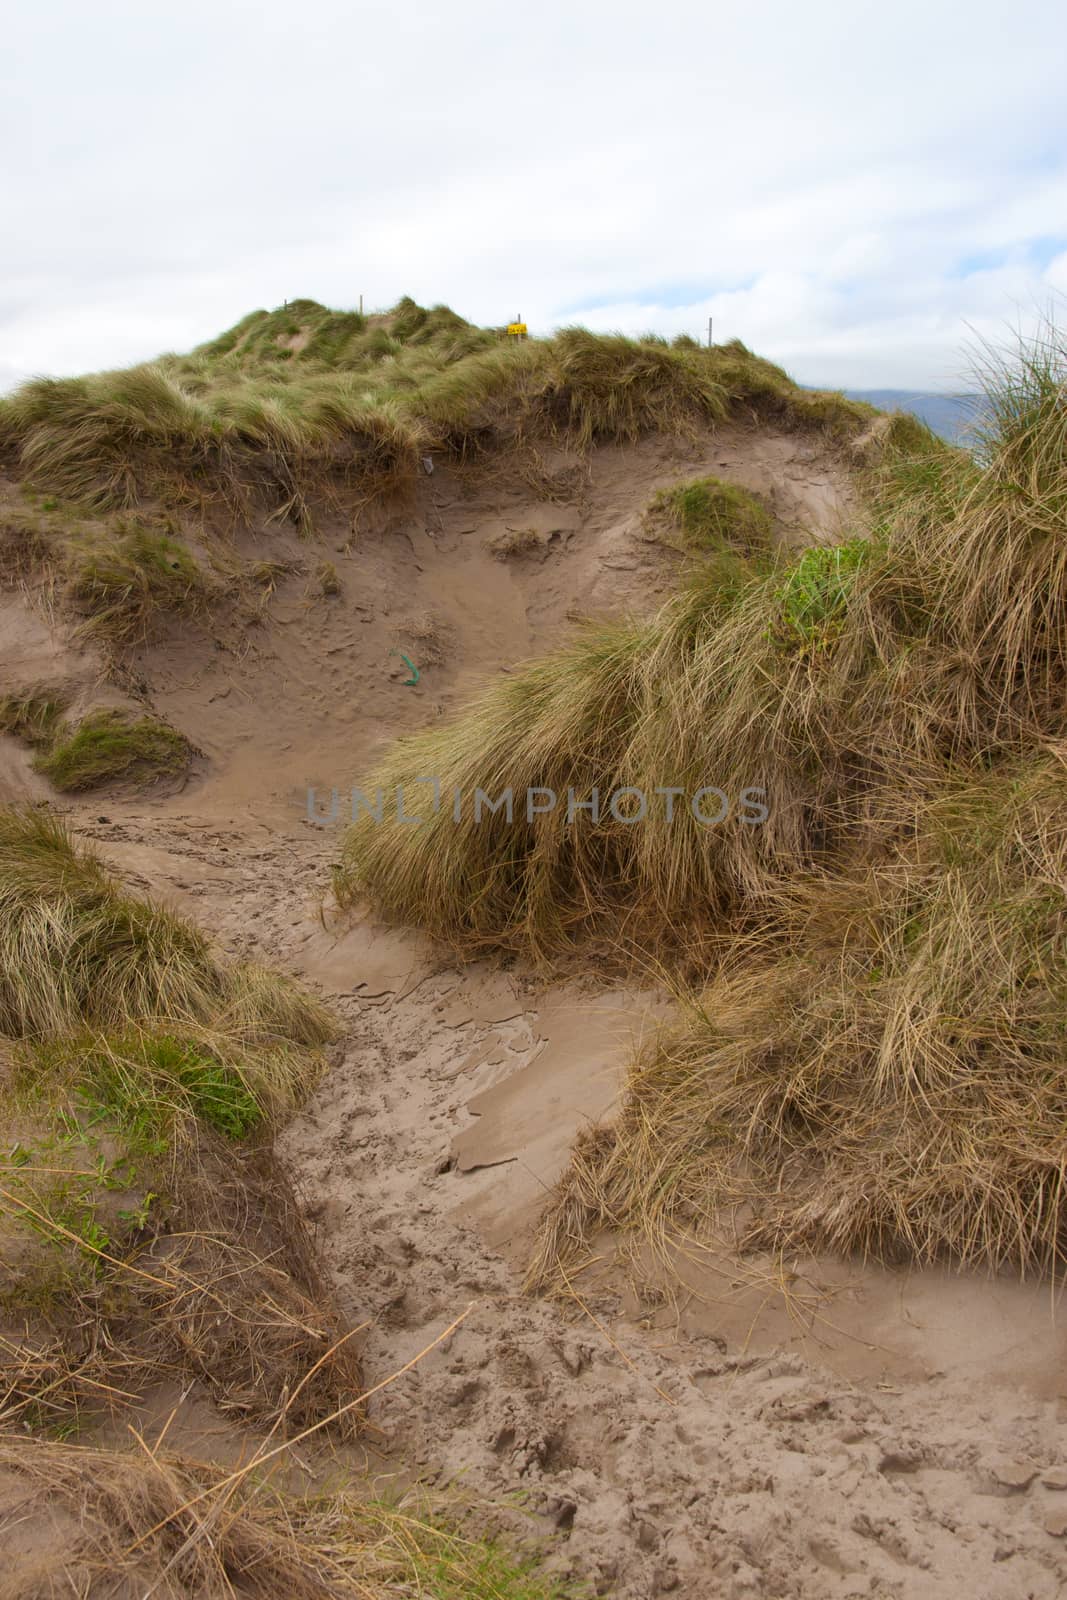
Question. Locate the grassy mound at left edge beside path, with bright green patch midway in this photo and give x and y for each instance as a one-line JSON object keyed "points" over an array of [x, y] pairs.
{"points": [[145, 1226]]}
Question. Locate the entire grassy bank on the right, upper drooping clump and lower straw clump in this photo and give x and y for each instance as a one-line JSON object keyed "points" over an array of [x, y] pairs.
{"points": [[884, 1041]]}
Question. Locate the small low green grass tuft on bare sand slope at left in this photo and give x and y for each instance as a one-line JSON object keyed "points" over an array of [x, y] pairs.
{"points": [[111, 745]]}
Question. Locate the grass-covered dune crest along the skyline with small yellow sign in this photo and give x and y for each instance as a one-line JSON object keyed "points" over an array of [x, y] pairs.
{"points": [[300, 398]]}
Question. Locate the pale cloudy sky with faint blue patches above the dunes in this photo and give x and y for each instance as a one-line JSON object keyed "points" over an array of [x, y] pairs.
{"points": [[860, 191]]}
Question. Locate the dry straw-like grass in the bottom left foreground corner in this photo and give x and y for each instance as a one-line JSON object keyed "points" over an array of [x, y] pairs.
{"points": [[159, 1526]]}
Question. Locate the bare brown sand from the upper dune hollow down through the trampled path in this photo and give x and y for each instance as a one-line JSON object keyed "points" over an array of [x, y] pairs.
{"points": [[829, 1433]]}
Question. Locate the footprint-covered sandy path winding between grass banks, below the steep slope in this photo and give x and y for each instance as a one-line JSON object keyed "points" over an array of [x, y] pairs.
{"points": [[700, 1457]]}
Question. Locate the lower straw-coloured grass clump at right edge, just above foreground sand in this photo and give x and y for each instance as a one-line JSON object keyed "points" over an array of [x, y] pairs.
{"points": [[890, 1079]]}
